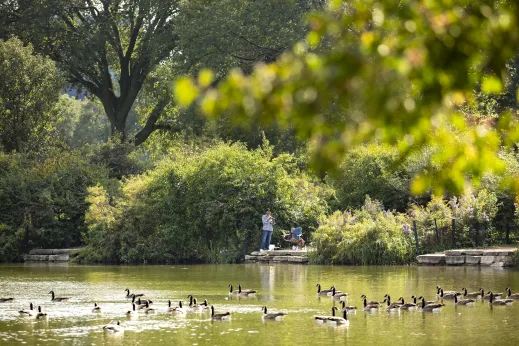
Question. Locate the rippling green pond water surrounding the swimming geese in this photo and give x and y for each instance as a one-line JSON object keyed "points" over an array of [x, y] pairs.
{"points": [[288, 288]]}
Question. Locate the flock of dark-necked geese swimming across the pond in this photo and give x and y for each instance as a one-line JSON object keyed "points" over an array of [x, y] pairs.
{"points": [[139, 304]]}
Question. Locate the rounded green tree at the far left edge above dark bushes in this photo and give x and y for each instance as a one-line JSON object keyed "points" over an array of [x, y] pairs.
{"points": [[29, 89]]}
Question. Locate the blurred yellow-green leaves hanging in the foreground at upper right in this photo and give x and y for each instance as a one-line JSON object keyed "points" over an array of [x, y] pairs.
{"points": [[396, 72]]}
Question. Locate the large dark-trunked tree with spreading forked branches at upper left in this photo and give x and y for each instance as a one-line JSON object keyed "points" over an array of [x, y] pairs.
{"points": [[107, 47]]}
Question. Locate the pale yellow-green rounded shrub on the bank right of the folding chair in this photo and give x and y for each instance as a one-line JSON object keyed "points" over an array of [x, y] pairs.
{"points": [[366, 236]]}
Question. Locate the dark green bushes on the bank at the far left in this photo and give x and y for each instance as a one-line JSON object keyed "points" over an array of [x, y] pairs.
{"points": [[48, 198]]}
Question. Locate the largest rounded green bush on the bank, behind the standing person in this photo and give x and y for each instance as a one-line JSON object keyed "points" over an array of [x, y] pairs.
{"points": [[204, 206]]}
